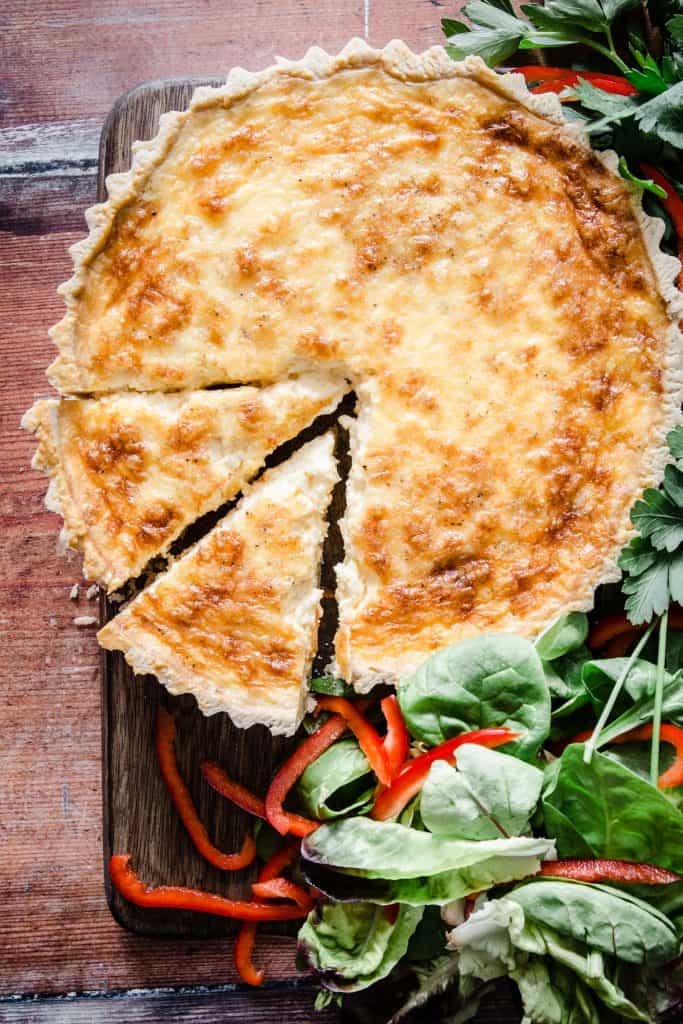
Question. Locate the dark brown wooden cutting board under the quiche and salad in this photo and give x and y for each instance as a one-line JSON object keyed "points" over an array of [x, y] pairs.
{"points": [[139, 817]]}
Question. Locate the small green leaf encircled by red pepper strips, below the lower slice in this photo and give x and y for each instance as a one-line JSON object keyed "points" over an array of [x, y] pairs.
{"points": [[339, 782]]}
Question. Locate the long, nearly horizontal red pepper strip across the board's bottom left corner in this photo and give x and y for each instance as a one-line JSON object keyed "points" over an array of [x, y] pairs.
{"points": [[179, 899]]}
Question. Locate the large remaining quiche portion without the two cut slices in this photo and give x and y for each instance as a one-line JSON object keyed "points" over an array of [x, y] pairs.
{"points": [[447, 243]]}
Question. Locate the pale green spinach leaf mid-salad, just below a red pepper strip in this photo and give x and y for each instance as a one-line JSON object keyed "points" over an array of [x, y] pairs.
{"points": [[487, 796]]}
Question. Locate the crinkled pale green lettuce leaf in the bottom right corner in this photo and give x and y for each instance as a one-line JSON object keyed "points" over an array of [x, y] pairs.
{"points": [[556, 947]]}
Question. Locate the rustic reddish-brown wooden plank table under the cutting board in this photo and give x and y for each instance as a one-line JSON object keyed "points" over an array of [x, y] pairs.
{"points": [[63, 64]]}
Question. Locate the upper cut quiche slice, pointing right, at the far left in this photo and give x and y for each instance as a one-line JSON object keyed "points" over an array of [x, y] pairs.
{"points": [[130, 473]]}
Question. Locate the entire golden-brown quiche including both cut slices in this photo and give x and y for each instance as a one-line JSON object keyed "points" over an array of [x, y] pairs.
{"points": [[426, 235]]}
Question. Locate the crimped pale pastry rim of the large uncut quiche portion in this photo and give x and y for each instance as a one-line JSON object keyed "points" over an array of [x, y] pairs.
{"points": [[400, 62]]}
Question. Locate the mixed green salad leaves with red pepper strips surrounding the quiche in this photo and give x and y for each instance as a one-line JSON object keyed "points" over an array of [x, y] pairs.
{"points": [[517, 809]]}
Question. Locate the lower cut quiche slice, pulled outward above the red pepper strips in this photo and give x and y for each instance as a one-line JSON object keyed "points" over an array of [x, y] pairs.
{"points": [[235, 620]]}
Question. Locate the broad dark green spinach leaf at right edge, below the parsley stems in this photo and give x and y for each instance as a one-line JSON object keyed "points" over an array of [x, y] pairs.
{"points": [[602, 809]]}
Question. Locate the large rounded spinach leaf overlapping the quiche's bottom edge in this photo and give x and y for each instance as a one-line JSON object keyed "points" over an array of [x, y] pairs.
{"points": [[484, 681]]}
